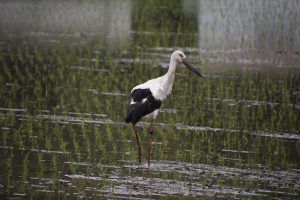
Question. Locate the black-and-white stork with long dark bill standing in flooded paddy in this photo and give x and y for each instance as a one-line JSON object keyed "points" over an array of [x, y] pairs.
{"points": [[146, 99]]}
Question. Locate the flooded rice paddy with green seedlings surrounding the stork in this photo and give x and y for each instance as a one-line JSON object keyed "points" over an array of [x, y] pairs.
{"points": [[64, 89]]}
